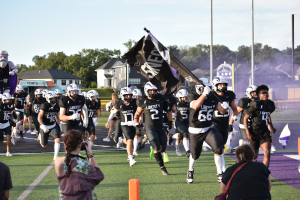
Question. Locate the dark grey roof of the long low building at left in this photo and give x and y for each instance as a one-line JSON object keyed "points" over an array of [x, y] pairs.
{"points": [[47, 74]]}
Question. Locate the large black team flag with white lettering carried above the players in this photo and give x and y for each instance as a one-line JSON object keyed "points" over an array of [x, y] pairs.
{"points": [[158, 65]]}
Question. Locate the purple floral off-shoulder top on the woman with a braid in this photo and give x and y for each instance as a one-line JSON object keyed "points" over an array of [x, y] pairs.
{"points": [[81, 182]]}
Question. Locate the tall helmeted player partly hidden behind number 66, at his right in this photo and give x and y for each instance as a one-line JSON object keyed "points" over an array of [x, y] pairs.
{"points": [[221, 121]]}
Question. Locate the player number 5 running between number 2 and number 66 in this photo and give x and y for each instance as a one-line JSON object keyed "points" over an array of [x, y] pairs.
{"points": [[182, 122]]}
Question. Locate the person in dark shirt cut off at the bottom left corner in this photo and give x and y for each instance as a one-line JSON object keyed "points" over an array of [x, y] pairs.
{"points": [[5, 182]]}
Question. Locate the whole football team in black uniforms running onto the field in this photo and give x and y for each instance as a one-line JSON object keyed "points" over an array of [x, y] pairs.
{"points": [[200, 117]]}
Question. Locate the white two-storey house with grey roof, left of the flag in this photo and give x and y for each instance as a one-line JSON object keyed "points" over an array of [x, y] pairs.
{"points": [[106, 73]]}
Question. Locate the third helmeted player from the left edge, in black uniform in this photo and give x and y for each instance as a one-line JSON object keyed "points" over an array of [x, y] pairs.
{"points": [[35, 103]]}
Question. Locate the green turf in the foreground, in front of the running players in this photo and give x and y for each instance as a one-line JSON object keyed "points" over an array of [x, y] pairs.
{"points": [[26, 168]]}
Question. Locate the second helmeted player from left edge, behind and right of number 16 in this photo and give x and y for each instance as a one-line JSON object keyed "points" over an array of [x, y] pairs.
{"points": [[19, 99]]}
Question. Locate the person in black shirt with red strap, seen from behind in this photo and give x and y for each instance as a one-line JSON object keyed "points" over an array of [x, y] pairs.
{"points": [[251, 182]]}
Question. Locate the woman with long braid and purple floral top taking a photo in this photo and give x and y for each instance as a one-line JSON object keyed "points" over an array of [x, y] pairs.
{"points": [[77, 177]]}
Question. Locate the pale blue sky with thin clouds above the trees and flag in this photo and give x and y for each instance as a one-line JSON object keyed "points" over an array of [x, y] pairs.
{"points": [[32, 28]]}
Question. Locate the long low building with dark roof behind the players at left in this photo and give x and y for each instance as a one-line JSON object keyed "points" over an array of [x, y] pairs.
{"points": [[48, 79]]}
